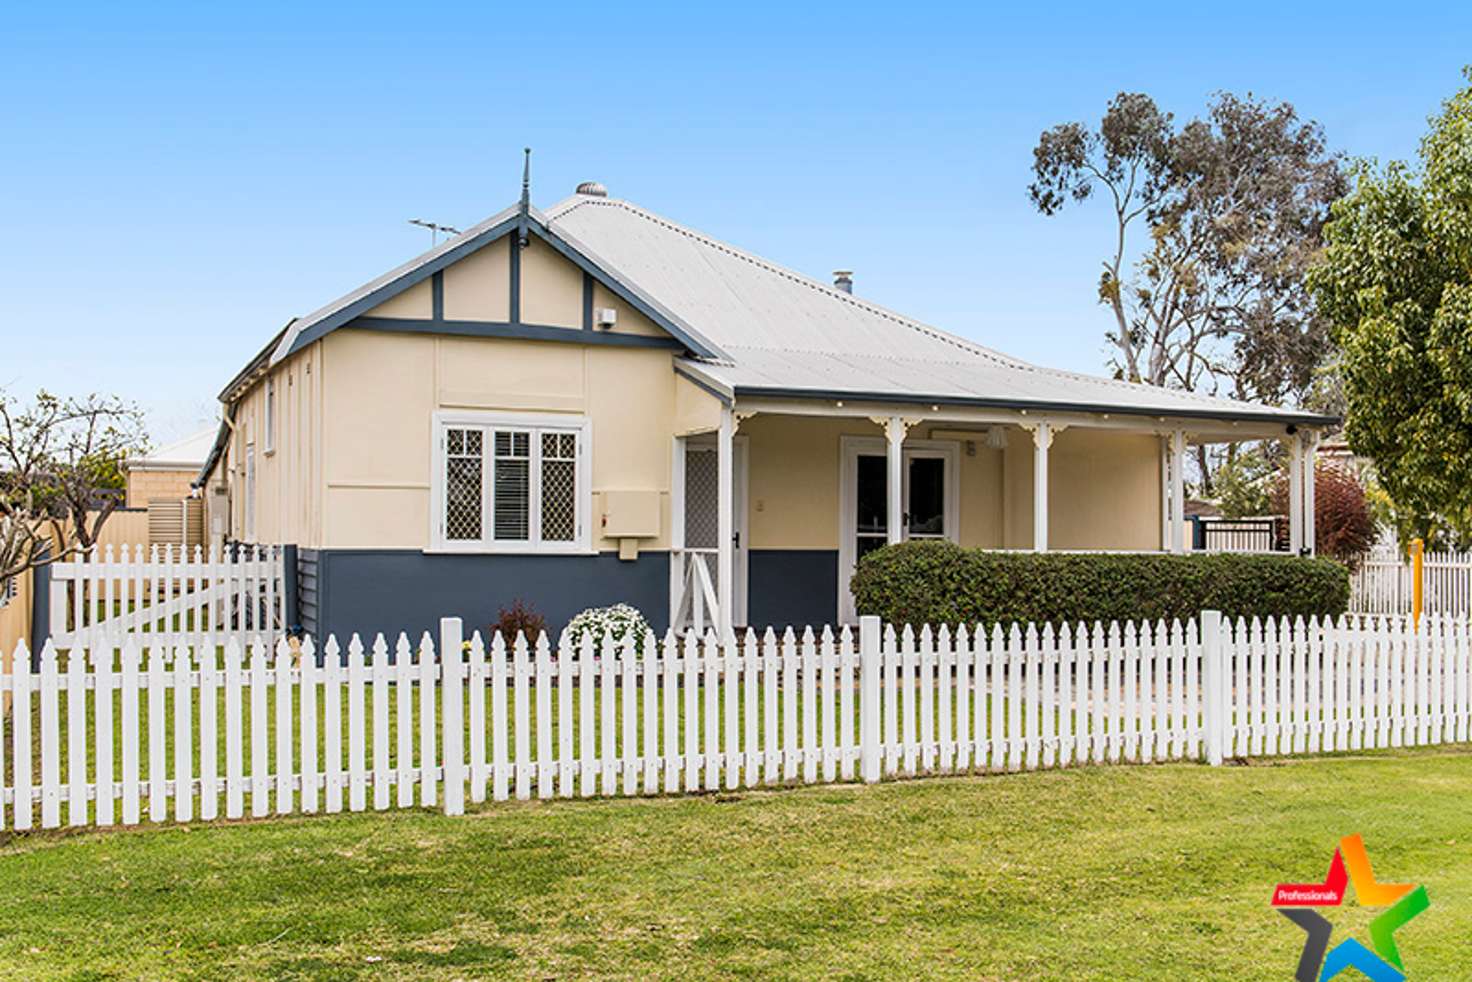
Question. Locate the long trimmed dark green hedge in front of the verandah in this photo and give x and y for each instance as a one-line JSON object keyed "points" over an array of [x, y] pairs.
{"points": [[941, 584]]}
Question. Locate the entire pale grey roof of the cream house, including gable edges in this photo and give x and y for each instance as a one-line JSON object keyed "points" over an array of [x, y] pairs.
{"points": [[753, 328]]}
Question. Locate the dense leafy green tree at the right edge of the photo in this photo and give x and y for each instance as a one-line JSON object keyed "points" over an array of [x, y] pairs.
{"points": [[1396, 282]]}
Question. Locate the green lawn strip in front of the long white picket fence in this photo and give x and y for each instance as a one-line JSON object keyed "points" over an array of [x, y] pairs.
{"points": [[1096, 872]]}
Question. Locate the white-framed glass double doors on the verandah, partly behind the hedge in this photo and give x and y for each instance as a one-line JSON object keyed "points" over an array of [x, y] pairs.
{"points": [[928, 501]]}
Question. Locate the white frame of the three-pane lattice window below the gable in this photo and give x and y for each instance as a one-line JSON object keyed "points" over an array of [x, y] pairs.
{"points": [[582, 543]]}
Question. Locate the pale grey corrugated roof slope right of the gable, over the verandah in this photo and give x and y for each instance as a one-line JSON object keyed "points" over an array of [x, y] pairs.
{"points": [[788, 333]]}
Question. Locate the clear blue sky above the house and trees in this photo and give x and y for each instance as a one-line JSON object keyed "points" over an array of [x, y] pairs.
{"points": [[177, 182]]}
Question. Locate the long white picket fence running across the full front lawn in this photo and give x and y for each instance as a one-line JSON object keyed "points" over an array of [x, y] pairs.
{"points": [[133, 732]]}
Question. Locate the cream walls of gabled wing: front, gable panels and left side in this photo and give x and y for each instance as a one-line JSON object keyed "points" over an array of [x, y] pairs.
{"points": [[353, 456]]}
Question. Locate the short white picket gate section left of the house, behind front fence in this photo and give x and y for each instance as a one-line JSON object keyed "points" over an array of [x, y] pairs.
{"points": [[169, 597]]}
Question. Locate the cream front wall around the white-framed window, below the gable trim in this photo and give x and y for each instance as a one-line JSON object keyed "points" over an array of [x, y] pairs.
{"points": [[383, 391]]}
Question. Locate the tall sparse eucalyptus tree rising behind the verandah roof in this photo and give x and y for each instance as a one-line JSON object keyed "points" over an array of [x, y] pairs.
{"points": [[1214, 225]]}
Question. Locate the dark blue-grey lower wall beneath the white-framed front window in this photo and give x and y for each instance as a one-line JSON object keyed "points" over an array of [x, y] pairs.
{"points": [[391, 591]]}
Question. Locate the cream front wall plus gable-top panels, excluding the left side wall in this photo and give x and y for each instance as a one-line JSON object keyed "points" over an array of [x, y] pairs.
{"points": [[382, 391]]}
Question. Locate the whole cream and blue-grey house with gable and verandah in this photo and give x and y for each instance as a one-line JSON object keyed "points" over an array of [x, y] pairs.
{"points": [[595, 404]]}
